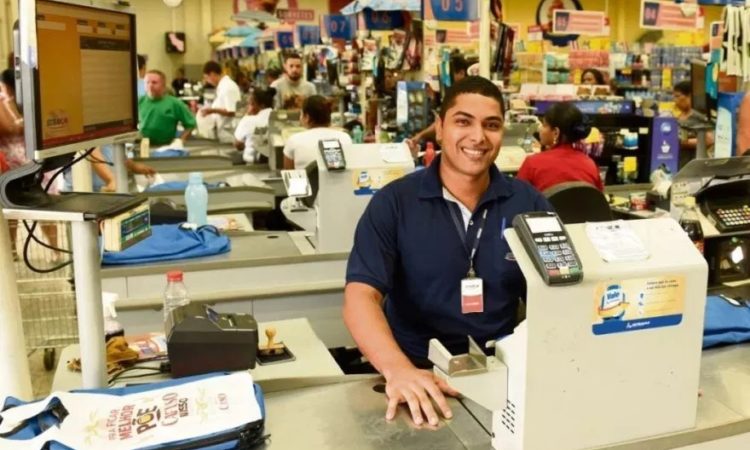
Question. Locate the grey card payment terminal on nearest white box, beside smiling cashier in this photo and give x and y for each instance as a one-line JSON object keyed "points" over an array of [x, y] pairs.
{"points": [[549, 246]]}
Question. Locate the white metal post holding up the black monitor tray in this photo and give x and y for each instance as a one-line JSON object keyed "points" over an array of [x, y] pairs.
{"points": [[89, 304]]}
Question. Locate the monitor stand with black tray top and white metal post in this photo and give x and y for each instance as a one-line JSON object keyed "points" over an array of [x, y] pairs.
{"points": [[23, 198]]}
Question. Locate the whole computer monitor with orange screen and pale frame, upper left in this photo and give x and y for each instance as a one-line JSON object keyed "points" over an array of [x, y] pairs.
{"points": [[78, 75]]}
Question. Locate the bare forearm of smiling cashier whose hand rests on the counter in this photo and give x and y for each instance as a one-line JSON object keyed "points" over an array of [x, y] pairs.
{"points": [[364, 317]]}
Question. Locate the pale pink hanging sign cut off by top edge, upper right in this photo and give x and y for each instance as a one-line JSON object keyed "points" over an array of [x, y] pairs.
{"points": [[665, 15]]}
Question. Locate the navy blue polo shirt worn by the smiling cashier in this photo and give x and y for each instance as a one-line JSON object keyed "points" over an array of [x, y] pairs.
{"points": [[408, 247]]}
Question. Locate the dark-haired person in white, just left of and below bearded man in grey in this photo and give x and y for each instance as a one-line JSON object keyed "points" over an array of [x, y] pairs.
{"points": [[255, 123]]}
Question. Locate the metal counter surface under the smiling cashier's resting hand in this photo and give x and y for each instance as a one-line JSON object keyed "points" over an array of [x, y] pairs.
{"points": [[350, 415]]}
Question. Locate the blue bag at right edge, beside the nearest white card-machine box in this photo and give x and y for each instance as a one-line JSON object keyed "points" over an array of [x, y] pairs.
{"points": [[725, 323]]}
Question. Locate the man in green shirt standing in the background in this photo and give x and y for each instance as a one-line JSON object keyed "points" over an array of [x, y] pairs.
{"points": [[160, 113]]}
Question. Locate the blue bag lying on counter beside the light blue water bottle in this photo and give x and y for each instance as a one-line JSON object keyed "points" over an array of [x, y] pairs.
{"points": [[171, 242]]}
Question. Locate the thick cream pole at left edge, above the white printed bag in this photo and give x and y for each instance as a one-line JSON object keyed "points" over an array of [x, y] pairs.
{"points": [[15, 378]]}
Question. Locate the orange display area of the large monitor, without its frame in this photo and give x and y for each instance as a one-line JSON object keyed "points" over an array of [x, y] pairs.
{"points": [[86, 74]]}
